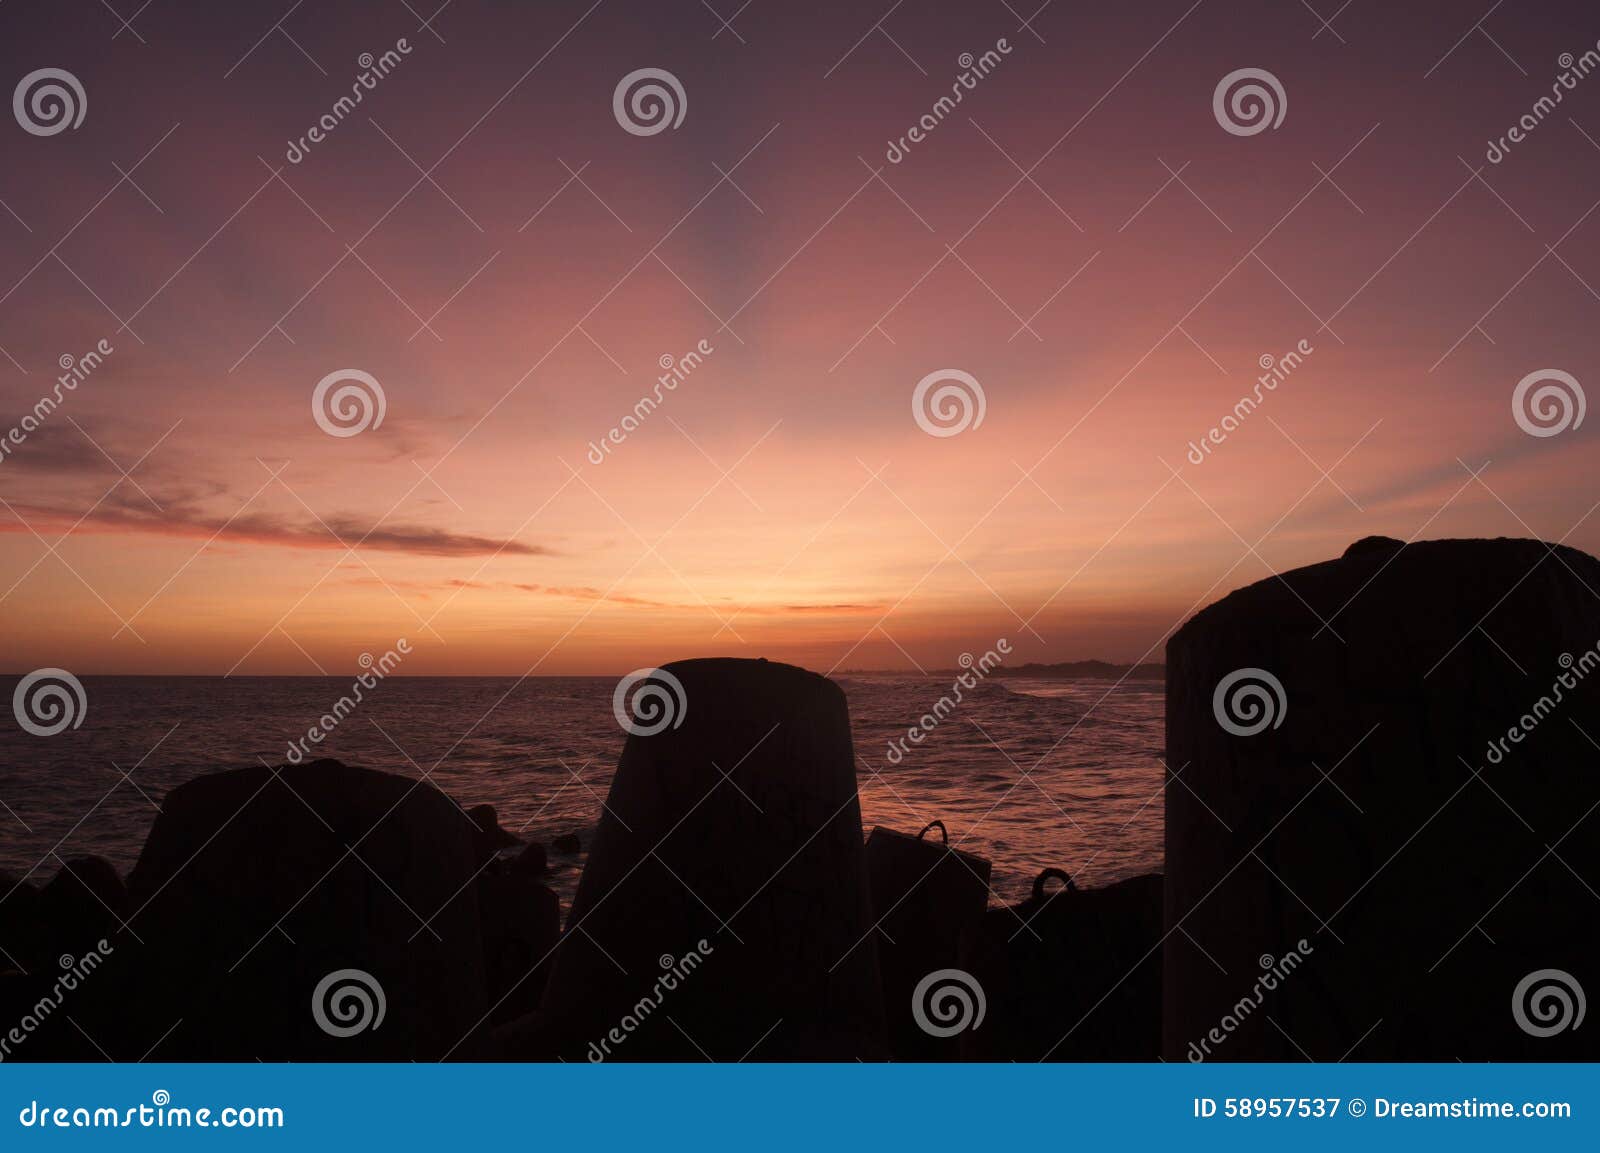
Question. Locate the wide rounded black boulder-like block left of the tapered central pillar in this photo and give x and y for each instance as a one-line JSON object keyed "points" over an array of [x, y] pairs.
{"points": [[255, 885]]}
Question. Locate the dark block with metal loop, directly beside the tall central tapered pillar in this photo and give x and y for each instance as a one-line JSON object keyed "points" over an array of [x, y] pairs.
{"points": [[924, 896]]}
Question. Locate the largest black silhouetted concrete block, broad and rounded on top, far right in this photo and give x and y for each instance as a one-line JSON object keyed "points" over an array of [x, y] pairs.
{"points": [[1417, 807]]}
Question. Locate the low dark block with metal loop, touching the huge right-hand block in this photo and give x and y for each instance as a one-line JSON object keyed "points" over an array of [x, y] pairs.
{"points": [[1073, 975]]}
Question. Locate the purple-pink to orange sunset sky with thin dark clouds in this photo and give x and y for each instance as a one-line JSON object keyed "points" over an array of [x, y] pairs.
{"points": [[1086, 241]]}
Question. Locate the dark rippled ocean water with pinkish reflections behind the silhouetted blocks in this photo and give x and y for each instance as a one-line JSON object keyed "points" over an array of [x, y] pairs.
{"points": [[1028, 775]]}
